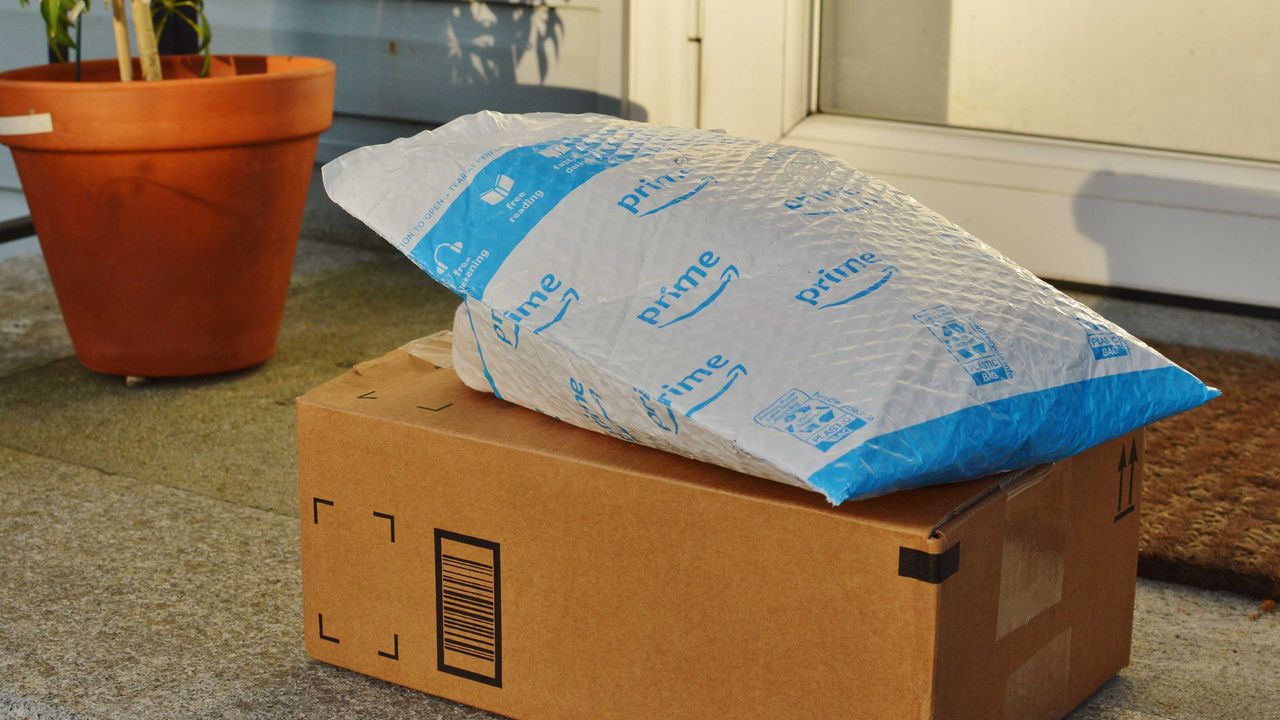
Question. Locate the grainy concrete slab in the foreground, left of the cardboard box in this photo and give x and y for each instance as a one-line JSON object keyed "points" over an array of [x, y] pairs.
{"points": [[125, 599]]}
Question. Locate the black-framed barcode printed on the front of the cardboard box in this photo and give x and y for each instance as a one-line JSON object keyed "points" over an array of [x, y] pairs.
{"points": [[469, 608]]}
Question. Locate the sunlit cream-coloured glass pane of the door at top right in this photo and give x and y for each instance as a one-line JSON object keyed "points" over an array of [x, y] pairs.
{"points": [[1197, 76]]}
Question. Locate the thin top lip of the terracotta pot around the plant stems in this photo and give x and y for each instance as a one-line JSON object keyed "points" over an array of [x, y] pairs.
{"points": [[301, 66]]}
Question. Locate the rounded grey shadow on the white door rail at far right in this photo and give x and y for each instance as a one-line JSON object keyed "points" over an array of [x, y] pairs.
{"points": [[1181, 238]]}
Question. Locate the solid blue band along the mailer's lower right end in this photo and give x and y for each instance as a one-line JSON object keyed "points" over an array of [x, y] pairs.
{"points": [[1012, 434]]}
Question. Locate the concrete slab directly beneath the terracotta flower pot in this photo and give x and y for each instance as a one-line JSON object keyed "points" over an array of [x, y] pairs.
{"points": [[230, 436]]}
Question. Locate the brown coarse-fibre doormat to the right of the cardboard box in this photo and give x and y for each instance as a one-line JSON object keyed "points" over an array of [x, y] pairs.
{"points": [[1212, 503]]}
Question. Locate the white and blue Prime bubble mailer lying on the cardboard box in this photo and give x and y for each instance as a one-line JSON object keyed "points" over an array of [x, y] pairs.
{"points": [[765, 308]]}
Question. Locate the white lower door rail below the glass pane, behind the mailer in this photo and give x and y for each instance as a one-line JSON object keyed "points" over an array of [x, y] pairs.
{"points": [[1148, 220]]}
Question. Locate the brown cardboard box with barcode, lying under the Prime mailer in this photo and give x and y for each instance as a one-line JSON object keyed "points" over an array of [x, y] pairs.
{"points": [[474, 550]]}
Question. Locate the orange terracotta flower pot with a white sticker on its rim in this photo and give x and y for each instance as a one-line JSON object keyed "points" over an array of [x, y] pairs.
{"points": [[170, 212]]}
